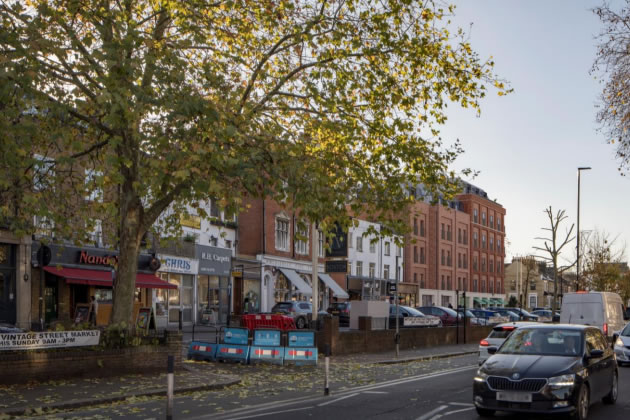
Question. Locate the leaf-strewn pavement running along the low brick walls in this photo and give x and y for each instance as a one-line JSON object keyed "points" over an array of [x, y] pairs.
{"points": [[39, 398]]}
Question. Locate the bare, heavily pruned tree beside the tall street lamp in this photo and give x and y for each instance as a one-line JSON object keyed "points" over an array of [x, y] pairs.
{"points": [[553, 247]]}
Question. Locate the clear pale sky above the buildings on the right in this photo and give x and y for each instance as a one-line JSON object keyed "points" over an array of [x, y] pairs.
{"points": [[528, 145]]}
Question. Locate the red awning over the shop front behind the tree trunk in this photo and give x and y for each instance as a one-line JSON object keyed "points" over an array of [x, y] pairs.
{"points": [[104, 278]]}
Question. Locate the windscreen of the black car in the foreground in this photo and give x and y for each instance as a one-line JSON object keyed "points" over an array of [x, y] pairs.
{"points": [[548, 342]]}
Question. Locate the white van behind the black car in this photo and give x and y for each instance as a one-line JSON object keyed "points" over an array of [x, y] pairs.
{"points": [[600, 309]]}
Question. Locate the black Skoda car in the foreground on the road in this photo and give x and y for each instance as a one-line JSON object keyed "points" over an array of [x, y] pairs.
{"points": [[547, 368]]}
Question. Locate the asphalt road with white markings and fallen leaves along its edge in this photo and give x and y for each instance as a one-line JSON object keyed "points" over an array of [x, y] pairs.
{"points": [[439, 389]]}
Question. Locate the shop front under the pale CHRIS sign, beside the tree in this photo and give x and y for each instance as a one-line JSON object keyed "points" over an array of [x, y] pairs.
{"points": [[179, 272]]}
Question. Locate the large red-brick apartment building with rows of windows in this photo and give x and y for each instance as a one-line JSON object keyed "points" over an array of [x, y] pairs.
{"points": [[457, 247]]}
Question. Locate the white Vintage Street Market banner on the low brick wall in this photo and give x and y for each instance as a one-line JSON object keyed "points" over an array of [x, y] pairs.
{"points": [[45, 340]]}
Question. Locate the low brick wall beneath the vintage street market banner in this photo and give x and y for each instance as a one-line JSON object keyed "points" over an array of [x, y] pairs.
{"points": [[25, 366]]}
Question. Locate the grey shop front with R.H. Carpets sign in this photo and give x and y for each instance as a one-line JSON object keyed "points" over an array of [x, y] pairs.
{"points": [[213, 284]]}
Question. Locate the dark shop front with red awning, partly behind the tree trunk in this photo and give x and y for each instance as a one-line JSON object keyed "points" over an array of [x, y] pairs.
{"points": [[74, 274]]}
